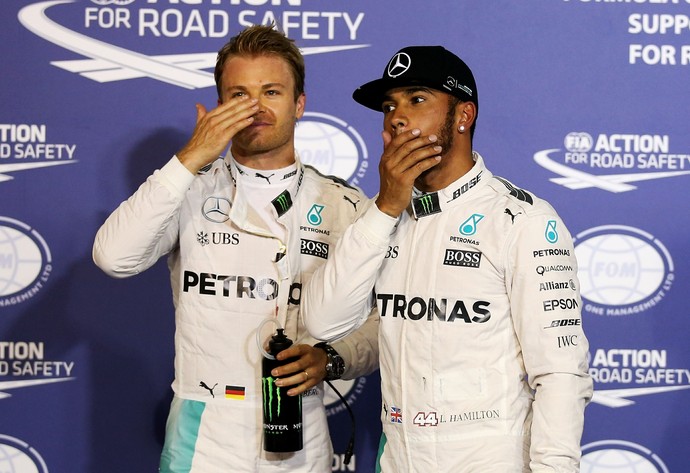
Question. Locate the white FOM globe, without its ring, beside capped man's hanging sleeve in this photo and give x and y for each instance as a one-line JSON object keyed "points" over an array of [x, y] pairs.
{"points": [[618, 269]]}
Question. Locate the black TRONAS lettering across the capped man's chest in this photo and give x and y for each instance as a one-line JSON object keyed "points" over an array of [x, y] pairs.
{"points": [[397, 305]]}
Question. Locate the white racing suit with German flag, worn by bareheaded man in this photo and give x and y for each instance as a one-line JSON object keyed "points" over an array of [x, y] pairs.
{"points": [[226, 282]]}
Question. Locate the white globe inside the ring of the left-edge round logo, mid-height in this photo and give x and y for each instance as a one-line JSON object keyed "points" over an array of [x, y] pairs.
{"points": [[20, 261]]}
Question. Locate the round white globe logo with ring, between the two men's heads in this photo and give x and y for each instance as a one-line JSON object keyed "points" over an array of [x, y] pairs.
{"points": [[332, 146]]}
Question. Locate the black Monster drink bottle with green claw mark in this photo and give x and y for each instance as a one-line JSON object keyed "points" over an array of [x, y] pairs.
{"points": [[282, 413]]}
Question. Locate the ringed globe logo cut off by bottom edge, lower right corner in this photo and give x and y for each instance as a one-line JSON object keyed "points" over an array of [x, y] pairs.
{"points": [[617, 456]]}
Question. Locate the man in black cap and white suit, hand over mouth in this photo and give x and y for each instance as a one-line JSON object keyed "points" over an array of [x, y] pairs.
{"points": [[483, 357]]}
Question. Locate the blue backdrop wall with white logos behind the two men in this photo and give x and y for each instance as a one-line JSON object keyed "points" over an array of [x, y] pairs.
{"points": [[583, 102]]}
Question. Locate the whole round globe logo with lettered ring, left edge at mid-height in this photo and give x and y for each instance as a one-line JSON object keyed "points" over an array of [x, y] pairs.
{"points": [[25, 262]]}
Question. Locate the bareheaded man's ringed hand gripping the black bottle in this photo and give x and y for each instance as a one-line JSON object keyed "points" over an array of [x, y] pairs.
{"points": [[306, 370]]}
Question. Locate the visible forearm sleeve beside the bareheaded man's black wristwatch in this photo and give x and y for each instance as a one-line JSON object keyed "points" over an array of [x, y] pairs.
{"points": [[360, 349]]}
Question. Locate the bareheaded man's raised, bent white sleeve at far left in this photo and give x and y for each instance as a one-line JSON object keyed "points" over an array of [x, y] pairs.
{"points": [[145, 226]]}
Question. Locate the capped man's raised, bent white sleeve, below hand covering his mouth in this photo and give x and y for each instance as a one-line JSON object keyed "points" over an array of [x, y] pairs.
{"points": [[339, 296]]}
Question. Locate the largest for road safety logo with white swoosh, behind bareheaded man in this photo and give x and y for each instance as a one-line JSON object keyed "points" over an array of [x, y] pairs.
{"points": [[108, 62]]}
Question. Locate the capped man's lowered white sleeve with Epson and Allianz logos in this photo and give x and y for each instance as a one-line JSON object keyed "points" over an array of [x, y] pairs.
{"points": [[545, 300]]}
